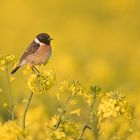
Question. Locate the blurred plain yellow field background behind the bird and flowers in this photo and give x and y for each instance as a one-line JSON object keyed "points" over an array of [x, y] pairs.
{"points": [[95, 41]]}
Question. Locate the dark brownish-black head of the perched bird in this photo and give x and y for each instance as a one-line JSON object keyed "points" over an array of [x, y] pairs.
{"points": [[44, 38]]}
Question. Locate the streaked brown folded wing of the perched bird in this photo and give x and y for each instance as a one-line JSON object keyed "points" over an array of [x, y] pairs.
{"points": [[33, 47]]}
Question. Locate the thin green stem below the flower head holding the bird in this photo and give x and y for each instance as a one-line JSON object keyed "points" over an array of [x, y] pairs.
{"points": [[25, 112]]}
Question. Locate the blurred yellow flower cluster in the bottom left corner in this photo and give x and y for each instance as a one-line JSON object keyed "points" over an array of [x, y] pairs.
{"points": [[10, 131]]}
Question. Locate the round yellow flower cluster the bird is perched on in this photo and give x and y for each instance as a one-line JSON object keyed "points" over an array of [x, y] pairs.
{"points": [[41, 82]]}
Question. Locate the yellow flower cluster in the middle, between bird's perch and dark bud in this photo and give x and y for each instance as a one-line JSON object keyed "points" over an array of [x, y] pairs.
{"points": [[72, 86]]}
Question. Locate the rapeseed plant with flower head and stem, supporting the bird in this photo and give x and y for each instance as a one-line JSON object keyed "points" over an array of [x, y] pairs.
{"points": [[38, 83]]}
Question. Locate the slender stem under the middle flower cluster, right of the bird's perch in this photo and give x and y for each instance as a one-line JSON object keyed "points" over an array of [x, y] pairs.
{"points": [[63, 112]]}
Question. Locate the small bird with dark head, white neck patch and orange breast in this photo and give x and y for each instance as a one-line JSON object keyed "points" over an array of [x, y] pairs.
{"points": [[37, 53]]}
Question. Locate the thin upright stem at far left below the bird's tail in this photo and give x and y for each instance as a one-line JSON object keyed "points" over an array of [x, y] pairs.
{"points": [[11, 103]]}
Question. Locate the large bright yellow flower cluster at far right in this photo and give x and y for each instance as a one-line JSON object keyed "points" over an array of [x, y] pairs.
{"points": [[112, 104]]}
